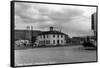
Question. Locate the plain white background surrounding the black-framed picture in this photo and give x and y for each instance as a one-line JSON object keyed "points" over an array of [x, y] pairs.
{"points": [[5, 35]]}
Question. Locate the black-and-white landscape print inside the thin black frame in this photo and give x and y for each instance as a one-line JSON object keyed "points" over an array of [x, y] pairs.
{"points": [[51, 33]]}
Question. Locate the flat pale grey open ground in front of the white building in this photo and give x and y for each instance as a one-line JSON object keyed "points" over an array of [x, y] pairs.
{"points": [[66, 54]]}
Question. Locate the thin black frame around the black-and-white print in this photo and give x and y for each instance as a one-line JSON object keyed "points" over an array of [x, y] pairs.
{"points": [[12, 57]]}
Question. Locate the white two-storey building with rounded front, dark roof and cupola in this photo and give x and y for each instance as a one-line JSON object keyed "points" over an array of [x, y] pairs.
{"points": [[51, 38]]}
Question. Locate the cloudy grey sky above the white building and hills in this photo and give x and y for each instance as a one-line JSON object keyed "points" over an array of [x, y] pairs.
{"points": [[71, 20]]}
